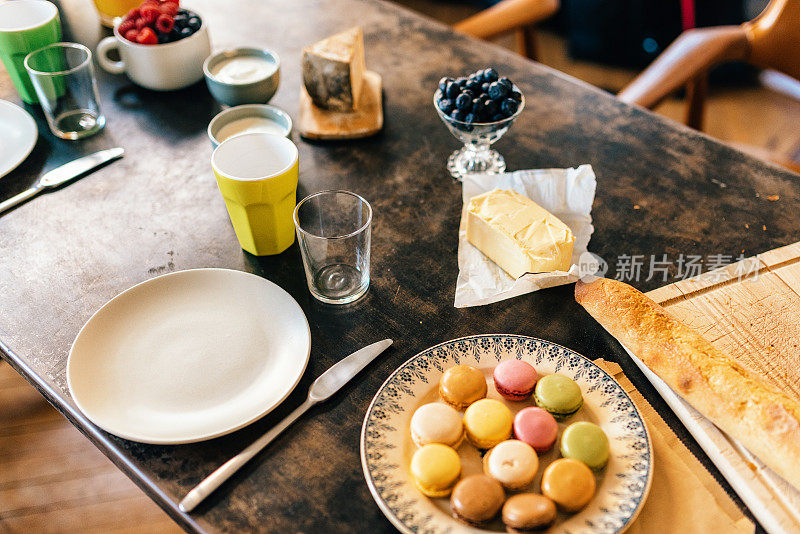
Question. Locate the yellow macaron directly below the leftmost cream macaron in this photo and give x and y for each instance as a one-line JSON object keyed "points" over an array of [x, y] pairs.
{"points": [[435, 468]]}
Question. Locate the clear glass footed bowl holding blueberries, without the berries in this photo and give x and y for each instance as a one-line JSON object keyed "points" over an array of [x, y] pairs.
{"points": [[477, 156]]}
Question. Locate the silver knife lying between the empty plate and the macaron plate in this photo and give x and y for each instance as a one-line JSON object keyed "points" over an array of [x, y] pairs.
{"points": [[323, 387]]}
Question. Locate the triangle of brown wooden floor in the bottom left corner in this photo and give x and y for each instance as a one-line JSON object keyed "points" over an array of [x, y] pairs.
{"points": [[53, 480]]}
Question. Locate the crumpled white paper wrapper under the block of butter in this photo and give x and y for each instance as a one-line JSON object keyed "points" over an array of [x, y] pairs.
{"points": [[566, 193]]}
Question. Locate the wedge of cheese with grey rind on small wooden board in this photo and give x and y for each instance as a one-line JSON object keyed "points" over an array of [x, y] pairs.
{"points": [[333, 70]]}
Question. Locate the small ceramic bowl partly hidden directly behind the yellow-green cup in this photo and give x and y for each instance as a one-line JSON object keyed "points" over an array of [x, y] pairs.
{"points": [[248, 119]]}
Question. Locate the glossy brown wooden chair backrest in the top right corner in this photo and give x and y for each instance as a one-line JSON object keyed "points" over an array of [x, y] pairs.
{"points": [[774, 37]]}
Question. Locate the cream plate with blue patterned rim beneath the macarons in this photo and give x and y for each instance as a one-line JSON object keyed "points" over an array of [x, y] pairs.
{"points": [[386, 446]]}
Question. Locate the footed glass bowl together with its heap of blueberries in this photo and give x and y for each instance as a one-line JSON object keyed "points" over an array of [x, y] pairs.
{"points": [[477, 109]]}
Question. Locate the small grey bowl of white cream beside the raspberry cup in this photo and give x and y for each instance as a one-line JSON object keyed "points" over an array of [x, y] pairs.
{"points": [[242, 75]]}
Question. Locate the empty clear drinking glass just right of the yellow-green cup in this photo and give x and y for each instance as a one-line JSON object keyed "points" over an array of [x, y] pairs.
{"points": [[333, 231]]}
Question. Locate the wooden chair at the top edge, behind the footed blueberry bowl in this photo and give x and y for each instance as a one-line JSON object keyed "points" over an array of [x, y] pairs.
{"points": [[519, 16]]}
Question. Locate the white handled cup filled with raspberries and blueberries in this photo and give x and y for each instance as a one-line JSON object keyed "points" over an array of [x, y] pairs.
{"points": [[161, 45]]}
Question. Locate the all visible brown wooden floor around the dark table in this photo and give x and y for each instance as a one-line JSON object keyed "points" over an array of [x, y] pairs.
{"points": [[53, 480]]}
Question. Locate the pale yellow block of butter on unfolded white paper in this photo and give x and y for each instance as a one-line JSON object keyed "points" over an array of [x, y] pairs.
{"points": [[517, 234]]}
